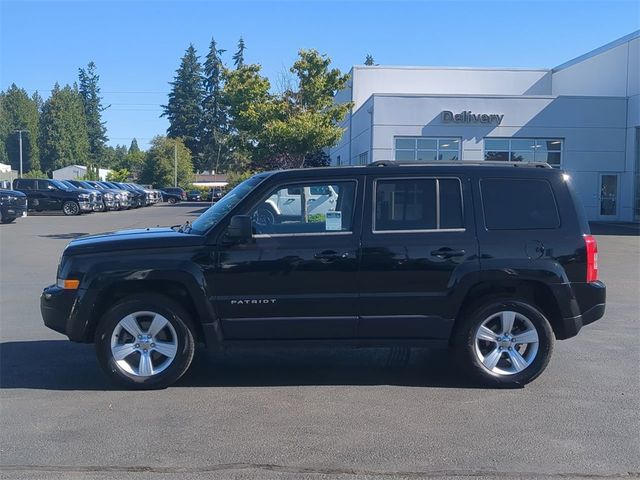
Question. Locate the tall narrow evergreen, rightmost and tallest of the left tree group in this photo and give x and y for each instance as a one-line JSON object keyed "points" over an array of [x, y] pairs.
{"points": [[92, 102]]}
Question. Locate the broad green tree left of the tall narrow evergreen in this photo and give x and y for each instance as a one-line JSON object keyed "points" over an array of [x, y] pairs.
{"points": [[64, 139]]}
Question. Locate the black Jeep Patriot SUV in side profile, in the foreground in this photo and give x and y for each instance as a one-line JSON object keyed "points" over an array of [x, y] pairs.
{"points": [[495, 260]]}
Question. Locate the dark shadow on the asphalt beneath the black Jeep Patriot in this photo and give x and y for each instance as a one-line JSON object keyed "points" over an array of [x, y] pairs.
{"points": [[63, 365]]}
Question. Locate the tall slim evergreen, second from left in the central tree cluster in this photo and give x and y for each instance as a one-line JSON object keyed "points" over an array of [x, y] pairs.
{"points": [[214, 112]]}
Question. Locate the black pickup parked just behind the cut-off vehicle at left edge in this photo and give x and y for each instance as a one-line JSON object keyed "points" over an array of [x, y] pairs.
{"points": [[46, 194]]}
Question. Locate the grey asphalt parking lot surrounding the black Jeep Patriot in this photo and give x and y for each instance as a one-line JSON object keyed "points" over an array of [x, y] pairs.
{"points": [[370, 413]]}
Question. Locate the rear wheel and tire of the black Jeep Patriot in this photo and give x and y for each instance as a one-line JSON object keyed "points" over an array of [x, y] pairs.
{"points": [[494, 356]]}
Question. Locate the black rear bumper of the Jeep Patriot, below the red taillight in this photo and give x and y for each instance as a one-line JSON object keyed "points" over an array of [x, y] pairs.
{"points": [[589, 303]]}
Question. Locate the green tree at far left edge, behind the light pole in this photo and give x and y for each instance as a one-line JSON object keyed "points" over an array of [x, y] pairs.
{"points": [[18, 111]]}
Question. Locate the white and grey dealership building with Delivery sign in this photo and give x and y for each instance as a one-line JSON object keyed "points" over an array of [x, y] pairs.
{"points": [[582, 116]]}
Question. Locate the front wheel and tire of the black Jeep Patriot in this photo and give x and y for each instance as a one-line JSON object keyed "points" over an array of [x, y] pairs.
{"points": [[139, 357]]}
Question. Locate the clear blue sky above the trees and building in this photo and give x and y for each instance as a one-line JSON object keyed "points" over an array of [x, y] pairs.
{"points": [[137, 45]]}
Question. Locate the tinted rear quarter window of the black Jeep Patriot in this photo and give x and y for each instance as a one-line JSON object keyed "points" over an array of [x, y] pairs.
{"points": [[518, 204]]}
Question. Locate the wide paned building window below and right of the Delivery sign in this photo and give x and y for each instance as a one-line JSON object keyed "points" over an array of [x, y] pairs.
{"points": [[547, 150]]}
